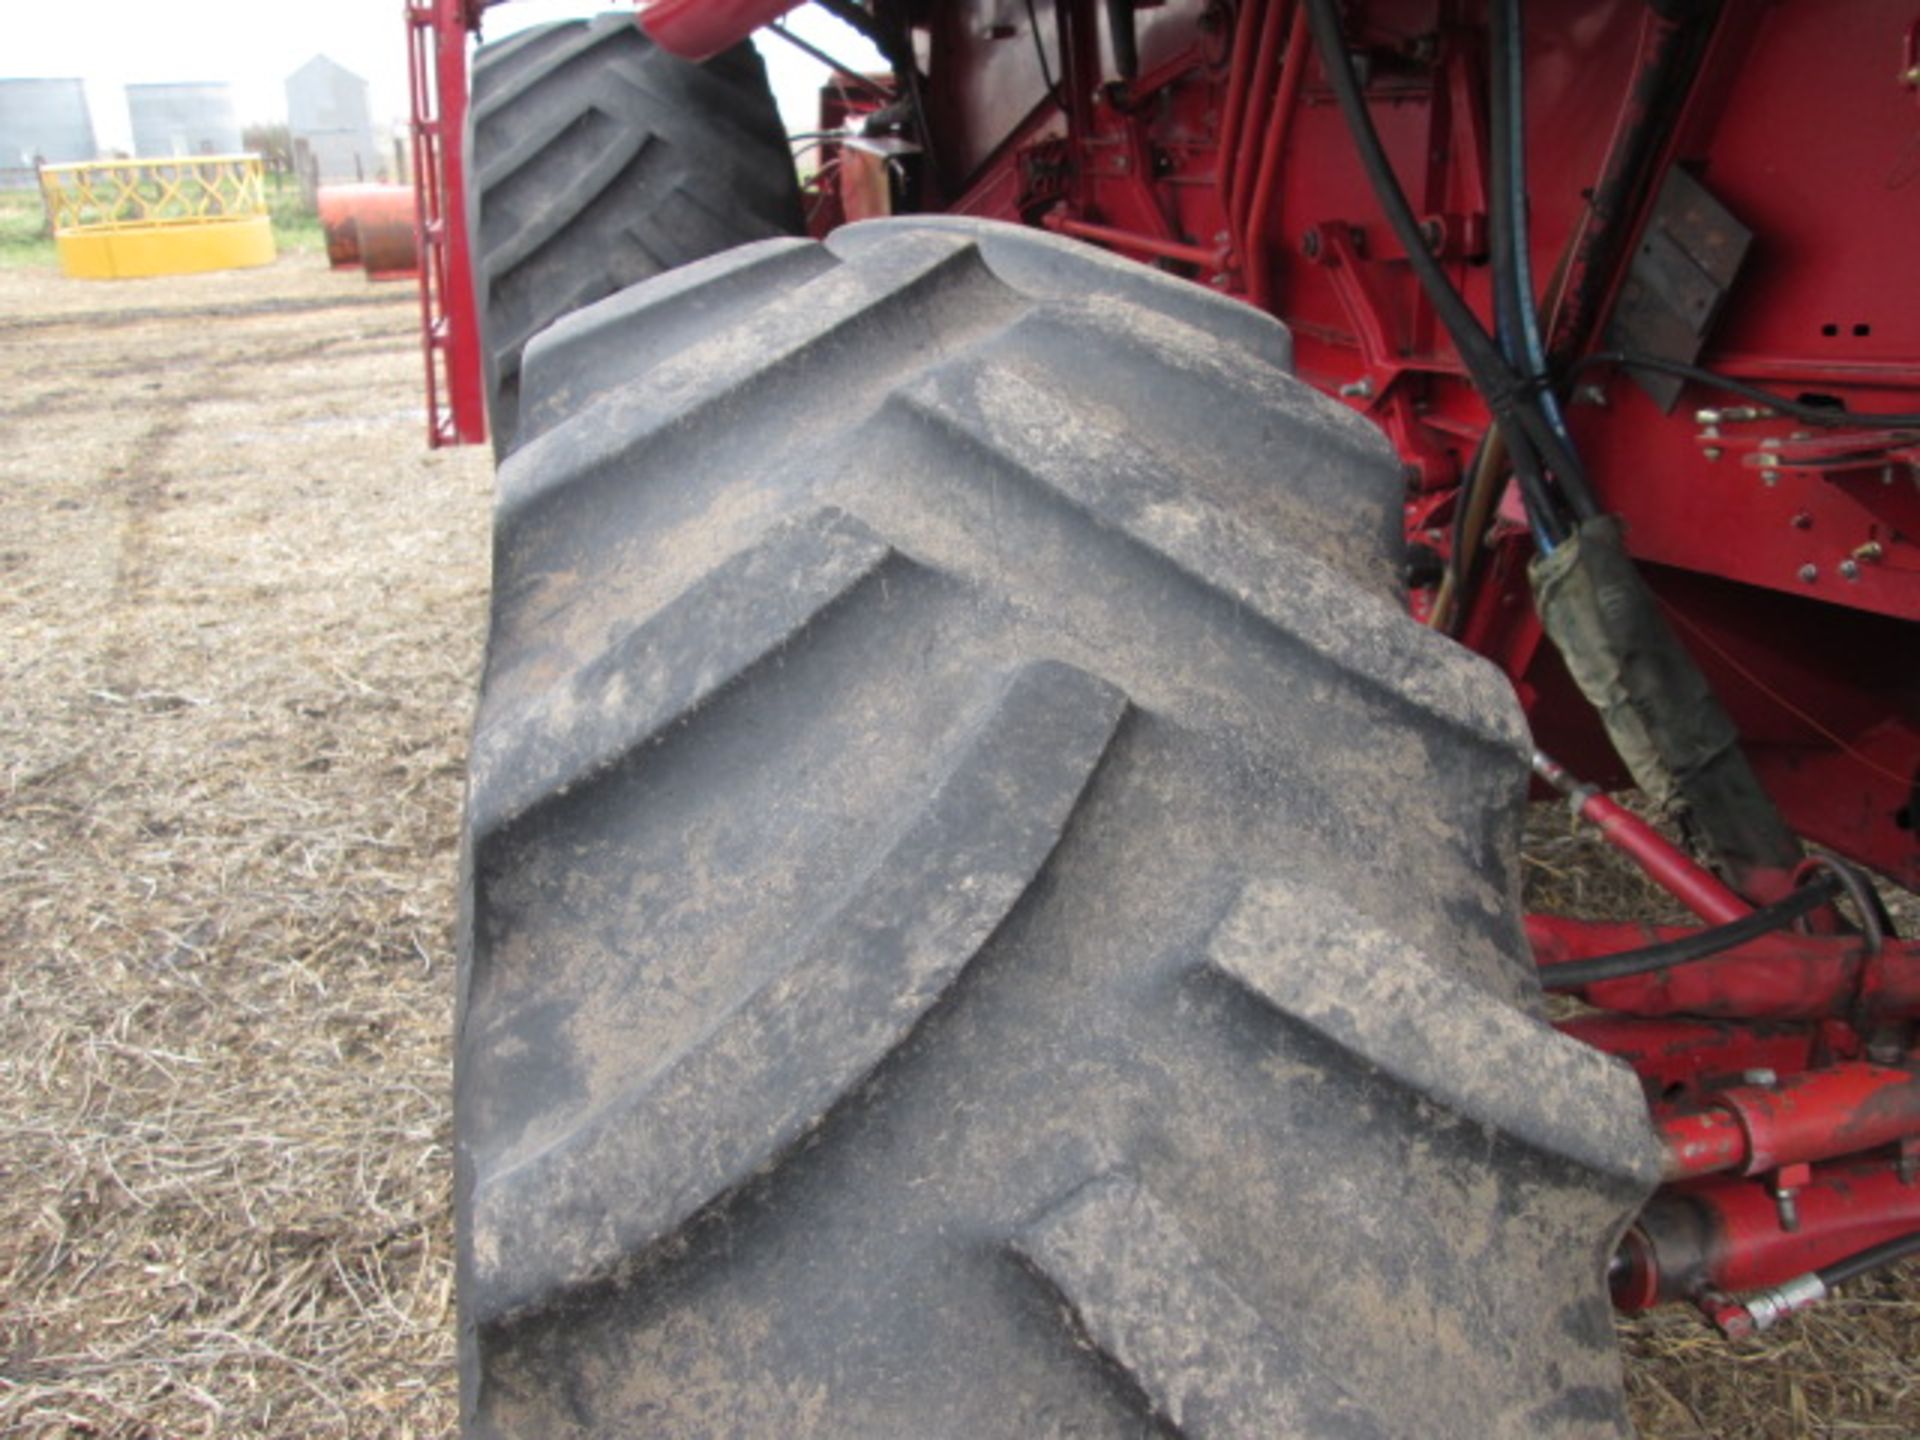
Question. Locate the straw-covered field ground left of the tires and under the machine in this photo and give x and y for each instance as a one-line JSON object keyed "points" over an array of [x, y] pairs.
{"points": [[241, 615]]}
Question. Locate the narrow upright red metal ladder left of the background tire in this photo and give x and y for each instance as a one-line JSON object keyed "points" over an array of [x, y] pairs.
{"points": [[450, 331]]}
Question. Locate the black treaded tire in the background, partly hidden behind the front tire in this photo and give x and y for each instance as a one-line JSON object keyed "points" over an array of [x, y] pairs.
{"points": [[600, 160]]}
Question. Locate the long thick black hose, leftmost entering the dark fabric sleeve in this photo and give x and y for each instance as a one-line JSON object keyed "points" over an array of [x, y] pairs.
{"points": [[1529, 439]]}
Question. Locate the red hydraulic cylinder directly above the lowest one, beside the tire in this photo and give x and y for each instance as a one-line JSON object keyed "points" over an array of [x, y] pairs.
{"points": [[1813, 1116]]}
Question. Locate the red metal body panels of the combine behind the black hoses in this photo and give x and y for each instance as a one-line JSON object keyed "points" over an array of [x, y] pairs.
{"points": [[1226, 162]]}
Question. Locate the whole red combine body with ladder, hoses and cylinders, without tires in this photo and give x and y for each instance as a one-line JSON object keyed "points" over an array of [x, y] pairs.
{"points": [[1660, 304]]}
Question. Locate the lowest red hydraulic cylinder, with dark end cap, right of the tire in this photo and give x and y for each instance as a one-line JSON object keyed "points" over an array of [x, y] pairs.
{"points": [[1727, 1234]]}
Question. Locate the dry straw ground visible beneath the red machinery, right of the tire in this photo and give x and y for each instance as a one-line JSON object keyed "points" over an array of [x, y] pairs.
{"points": [[1850, 1368]]}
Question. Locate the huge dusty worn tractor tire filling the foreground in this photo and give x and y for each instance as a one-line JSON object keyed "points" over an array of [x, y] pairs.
{"points": [[986, 919]]}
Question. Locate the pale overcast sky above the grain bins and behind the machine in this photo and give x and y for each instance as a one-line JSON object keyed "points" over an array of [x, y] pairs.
{"points": [[256, 45]]}
